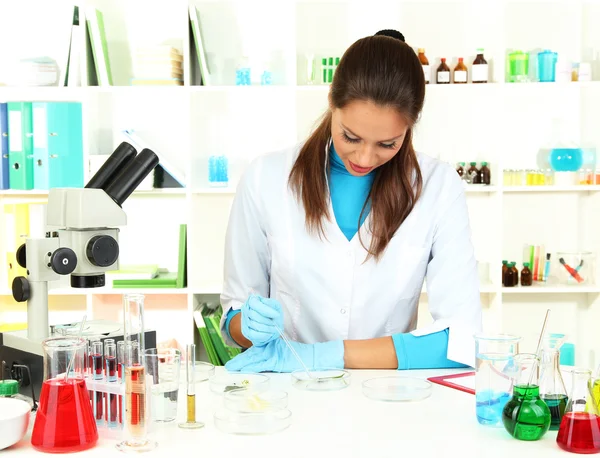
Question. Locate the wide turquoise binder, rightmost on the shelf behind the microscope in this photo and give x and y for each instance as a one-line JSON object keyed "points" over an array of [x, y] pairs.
{"points": [[57, 145]]}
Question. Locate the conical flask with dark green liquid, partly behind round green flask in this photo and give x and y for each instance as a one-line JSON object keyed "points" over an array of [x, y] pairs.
{"points": [[552, 386]]}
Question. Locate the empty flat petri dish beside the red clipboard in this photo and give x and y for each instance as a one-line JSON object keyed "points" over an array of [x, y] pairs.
{"points": [[397, 389]]}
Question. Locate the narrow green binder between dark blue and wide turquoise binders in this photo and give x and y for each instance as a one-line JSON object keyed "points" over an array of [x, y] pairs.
{"points": [[20, 145]]}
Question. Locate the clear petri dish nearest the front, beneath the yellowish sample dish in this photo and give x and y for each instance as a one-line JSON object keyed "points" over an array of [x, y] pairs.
{"points": [[252, 424]]}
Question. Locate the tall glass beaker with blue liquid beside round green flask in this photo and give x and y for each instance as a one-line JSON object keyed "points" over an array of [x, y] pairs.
{"points": [[494, 374]]}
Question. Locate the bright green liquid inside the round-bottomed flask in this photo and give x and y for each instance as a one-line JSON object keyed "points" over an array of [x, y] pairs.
{"points": [[526, 416]]}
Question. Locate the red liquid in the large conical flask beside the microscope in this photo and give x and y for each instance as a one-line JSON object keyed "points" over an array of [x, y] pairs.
{"points": [[64, 421]]}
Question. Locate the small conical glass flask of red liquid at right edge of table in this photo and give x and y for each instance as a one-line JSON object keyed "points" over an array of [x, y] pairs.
{"points": [[580, 427]]}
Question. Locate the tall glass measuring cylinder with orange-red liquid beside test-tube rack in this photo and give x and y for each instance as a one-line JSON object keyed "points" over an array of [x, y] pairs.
{"points": [[135, 430]]}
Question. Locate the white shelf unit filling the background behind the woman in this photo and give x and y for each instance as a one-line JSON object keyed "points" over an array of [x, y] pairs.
{"points": [[504, 124]]}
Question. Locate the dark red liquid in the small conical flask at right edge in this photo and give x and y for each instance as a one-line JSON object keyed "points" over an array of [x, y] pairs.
{"points": [[579, 433]]}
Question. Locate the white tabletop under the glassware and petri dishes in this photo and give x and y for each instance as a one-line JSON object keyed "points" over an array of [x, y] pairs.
{"points": [[339, 424]]}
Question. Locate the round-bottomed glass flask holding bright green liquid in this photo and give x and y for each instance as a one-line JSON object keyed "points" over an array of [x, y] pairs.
{"points": [[526, 416]]}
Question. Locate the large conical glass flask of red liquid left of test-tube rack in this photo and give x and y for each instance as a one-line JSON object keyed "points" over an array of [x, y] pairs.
{"points": [[64, 421]]}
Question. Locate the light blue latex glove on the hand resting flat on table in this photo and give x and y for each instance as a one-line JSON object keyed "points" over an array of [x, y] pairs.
{"points": [[277, 357]]}
